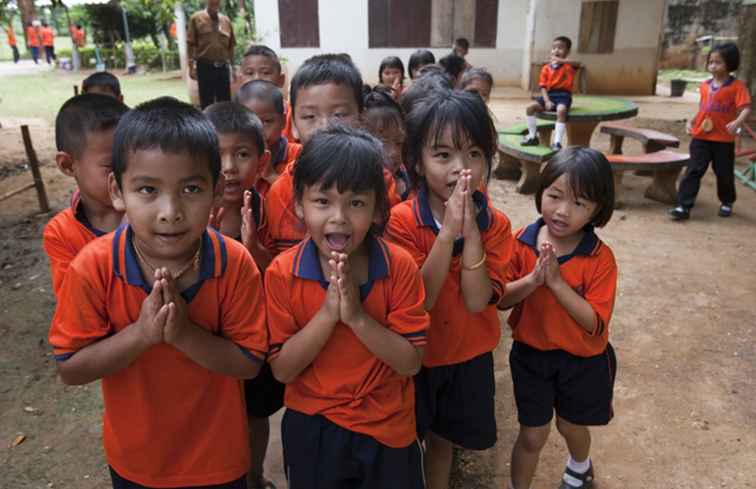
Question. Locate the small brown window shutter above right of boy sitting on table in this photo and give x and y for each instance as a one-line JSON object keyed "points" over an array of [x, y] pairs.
{"points": [[598, 26]]}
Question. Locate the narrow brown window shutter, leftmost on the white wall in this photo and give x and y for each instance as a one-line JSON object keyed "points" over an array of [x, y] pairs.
{"points": [[300, 24]]}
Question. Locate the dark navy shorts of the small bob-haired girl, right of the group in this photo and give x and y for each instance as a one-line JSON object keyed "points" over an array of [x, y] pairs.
{"points": [[580, 389]]}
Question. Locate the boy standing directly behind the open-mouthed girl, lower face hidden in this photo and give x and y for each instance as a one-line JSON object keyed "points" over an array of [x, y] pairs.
{"points": [[327, 88]]}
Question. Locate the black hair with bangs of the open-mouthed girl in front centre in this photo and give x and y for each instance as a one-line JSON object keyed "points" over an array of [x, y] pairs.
{"points": [[347, 157]]}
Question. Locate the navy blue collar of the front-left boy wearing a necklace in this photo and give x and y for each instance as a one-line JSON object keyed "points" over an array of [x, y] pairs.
{"points": [[213, 260]]}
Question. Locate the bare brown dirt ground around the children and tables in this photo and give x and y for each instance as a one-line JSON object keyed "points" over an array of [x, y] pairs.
{"points": [[685, 397]]}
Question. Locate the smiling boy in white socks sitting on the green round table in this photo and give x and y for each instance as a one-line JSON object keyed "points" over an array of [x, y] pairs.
{"points": [[555, 83]]}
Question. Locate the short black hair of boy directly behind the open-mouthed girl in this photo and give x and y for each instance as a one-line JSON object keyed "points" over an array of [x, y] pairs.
{"points": [[327, 68]]}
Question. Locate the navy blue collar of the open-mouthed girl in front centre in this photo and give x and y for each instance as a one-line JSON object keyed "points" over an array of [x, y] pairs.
{"points": [[307, 264]]}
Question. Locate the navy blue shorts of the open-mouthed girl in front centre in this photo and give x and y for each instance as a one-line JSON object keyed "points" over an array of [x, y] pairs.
{"points": [[319, 454]]}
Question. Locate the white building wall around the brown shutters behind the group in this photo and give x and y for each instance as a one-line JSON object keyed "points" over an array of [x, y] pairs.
{"points": [[344, 28]]}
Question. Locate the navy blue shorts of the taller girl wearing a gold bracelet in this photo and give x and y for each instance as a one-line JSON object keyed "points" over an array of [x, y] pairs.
{"points": [[456, 402]]}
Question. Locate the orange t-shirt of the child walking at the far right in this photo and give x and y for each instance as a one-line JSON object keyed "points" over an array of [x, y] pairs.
{"points": [[720, 105]]}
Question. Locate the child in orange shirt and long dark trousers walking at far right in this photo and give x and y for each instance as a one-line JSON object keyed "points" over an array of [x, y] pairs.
{"points": [[725, 105]]}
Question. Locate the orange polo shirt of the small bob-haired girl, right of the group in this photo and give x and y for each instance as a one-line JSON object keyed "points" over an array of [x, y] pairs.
{"points": [[539, 320]]}
